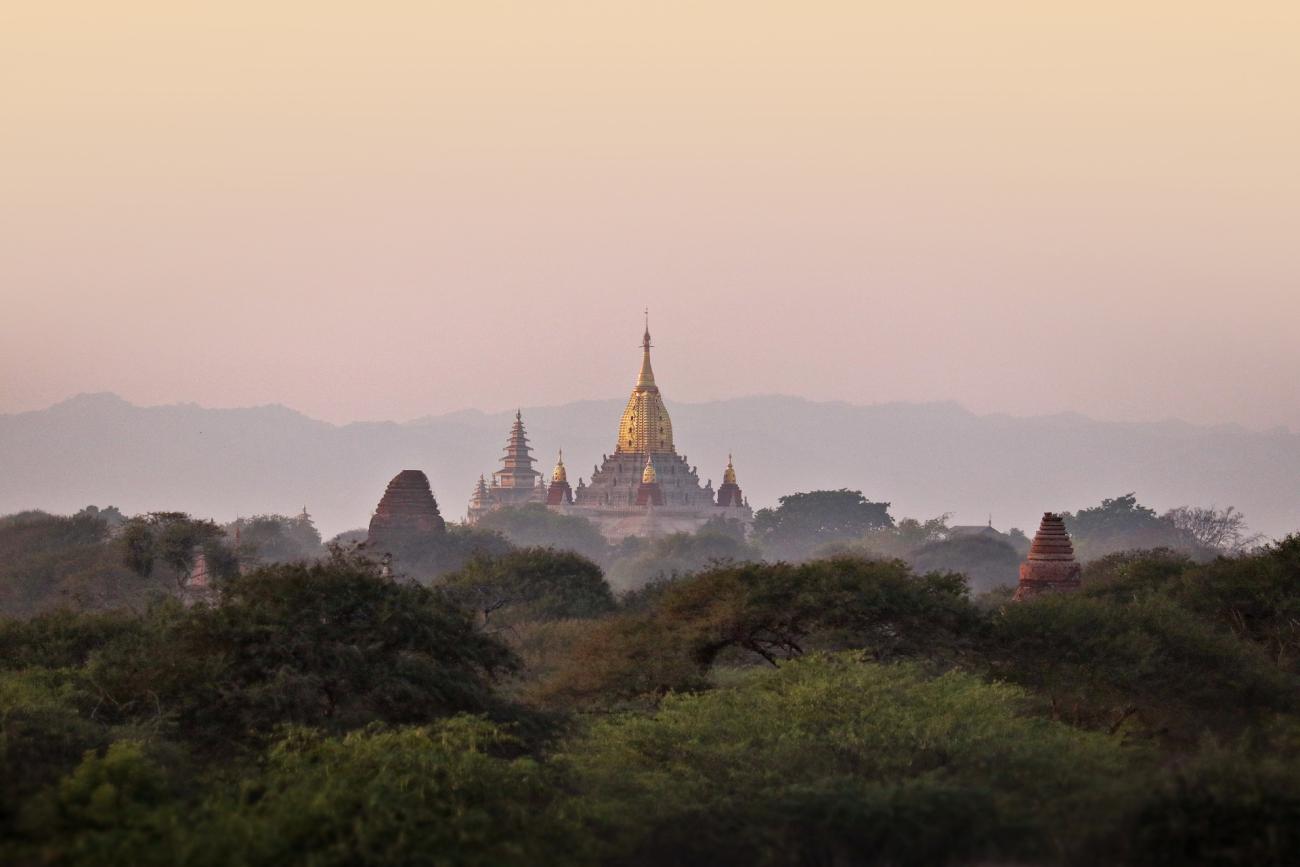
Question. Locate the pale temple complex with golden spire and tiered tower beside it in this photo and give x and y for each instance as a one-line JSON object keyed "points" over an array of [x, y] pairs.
{"points": [[644, 488]]}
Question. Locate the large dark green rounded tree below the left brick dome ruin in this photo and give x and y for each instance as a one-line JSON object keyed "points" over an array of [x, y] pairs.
{"points": [[331, 645]]}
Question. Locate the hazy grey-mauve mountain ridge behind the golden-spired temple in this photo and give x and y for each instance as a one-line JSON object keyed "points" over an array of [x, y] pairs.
{"points": [[926, 459]]}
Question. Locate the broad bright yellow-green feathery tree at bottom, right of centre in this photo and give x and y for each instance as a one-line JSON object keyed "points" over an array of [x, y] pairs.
{"points": [[833, 761]]}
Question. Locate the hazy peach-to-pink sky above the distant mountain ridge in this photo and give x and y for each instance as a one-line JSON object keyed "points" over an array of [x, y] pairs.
{"points": [[384, 211]]}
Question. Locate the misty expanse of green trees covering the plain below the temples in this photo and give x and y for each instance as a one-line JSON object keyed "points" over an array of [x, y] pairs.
{"points": [[844, 687]]}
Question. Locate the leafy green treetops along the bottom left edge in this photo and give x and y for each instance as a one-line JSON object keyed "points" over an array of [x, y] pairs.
{"points": [[450, 794]]}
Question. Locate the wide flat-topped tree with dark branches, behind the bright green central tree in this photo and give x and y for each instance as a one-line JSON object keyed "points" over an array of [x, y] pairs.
{"points": [[765, 613]]}
